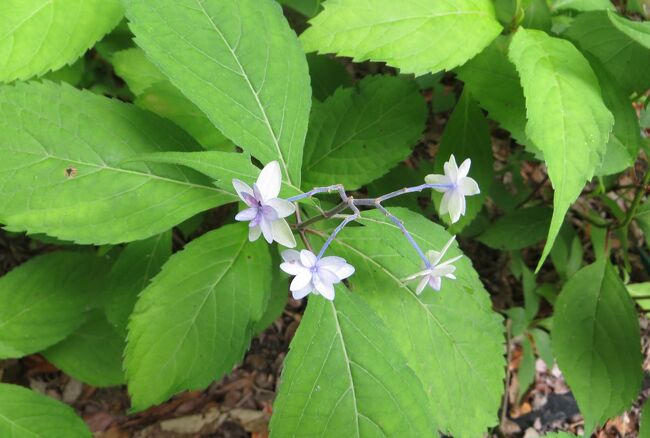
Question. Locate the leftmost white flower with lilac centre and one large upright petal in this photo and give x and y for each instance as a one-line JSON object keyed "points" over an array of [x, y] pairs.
{"points": [[266, 211]]}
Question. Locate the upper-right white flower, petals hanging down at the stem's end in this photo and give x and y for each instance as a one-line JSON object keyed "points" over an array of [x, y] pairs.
{"points": [[457, 185]]}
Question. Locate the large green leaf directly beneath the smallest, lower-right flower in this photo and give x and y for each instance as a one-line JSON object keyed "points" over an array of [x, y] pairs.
{"points": [[457, 349]]}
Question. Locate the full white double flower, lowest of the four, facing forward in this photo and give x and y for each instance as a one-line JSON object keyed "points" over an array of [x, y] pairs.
{"points": [[314, 275]]}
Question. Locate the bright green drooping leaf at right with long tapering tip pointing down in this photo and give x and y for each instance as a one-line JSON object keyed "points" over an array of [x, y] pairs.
{"points": [[567, 118]]}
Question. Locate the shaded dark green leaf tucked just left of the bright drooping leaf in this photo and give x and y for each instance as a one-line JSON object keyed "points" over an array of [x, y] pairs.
{"points": [[492, 79]]}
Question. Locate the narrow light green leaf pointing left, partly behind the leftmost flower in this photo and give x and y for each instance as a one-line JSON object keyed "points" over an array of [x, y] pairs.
{"points": [[222, 167]]}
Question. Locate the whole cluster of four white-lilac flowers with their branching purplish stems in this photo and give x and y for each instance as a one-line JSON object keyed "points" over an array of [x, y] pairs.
{"points": [[316, 274]]}
